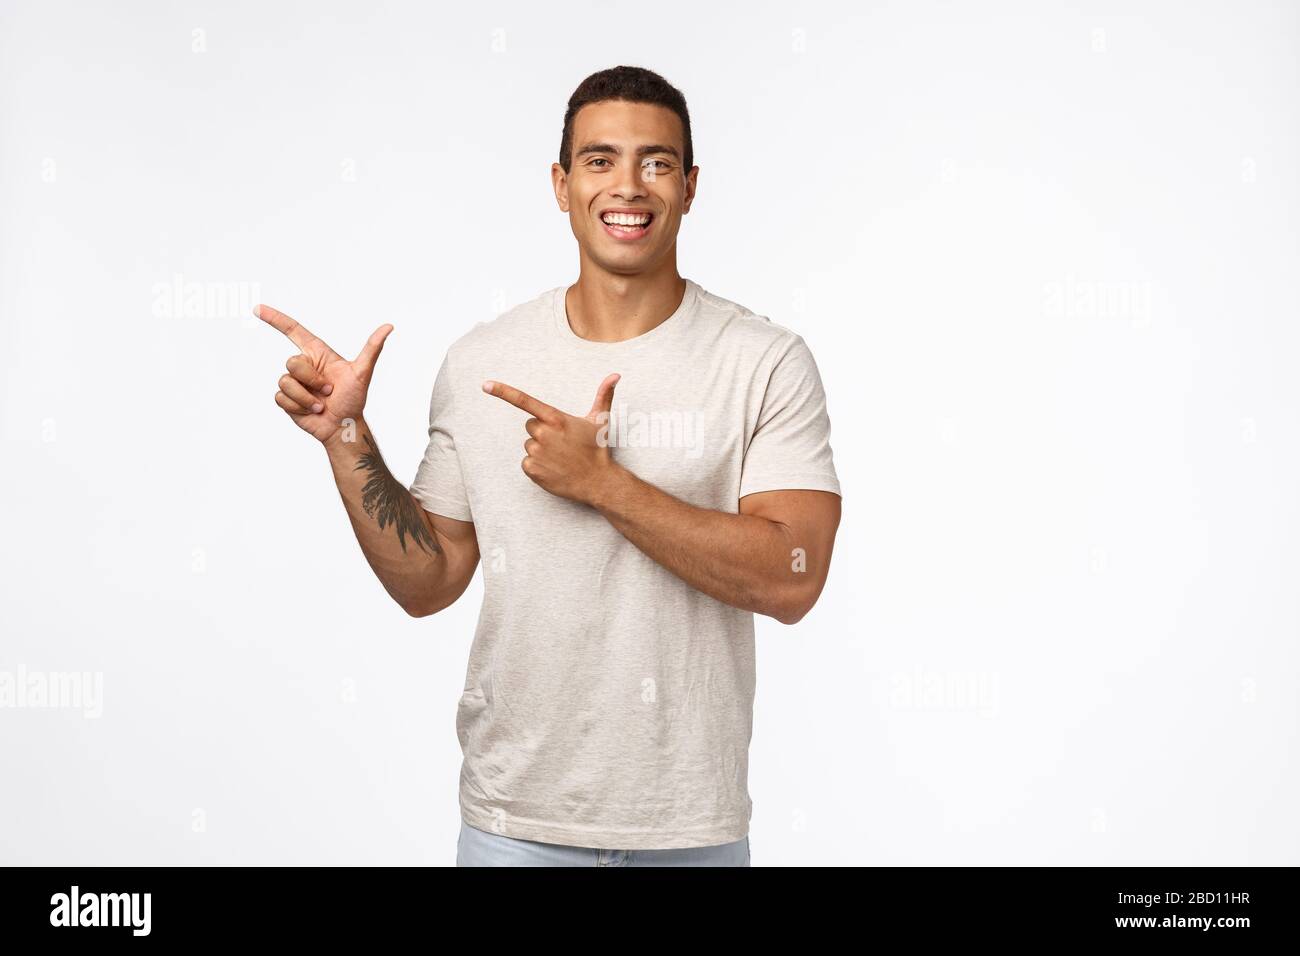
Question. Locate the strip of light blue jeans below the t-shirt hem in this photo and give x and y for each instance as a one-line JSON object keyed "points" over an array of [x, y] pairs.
{"points": [[482, 849]]}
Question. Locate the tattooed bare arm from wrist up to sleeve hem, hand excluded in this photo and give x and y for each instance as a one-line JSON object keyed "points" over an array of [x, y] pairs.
{"points": [[424, 561]]}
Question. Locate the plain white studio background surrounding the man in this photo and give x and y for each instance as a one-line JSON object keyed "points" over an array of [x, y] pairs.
{"points": [[1046, 257]]}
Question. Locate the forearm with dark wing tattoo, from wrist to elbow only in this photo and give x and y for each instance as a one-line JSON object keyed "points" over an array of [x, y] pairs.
{"points": [[397, 539]]}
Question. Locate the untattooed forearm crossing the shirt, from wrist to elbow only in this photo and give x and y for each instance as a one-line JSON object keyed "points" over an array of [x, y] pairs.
{"points": [[744, 561]]}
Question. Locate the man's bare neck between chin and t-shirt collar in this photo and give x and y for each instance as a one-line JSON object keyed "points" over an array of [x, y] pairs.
{"points": [[608, 308]]}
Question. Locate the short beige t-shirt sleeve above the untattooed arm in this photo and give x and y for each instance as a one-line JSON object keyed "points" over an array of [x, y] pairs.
{"points": [[791, 445]]}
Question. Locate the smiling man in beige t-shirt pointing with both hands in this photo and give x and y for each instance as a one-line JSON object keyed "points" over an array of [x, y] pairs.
{"points": [[651, 468]]}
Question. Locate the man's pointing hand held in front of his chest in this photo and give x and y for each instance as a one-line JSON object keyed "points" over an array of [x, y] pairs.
{"points": [[566, 455]]}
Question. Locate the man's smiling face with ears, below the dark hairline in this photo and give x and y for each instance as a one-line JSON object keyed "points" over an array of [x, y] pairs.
{"points": [[627, 189]]}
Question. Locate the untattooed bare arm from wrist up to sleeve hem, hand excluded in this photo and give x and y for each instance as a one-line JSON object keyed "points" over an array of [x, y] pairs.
{"points": [[772, 559]]}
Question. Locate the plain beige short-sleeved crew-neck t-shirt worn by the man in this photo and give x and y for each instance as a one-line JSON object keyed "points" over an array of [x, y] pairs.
{"points": [[608, 703]]}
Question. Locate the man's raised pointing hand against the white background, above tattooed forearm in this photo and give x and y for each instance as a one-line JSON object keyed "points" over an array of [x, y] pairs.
{"points": [[323, 388]]}
